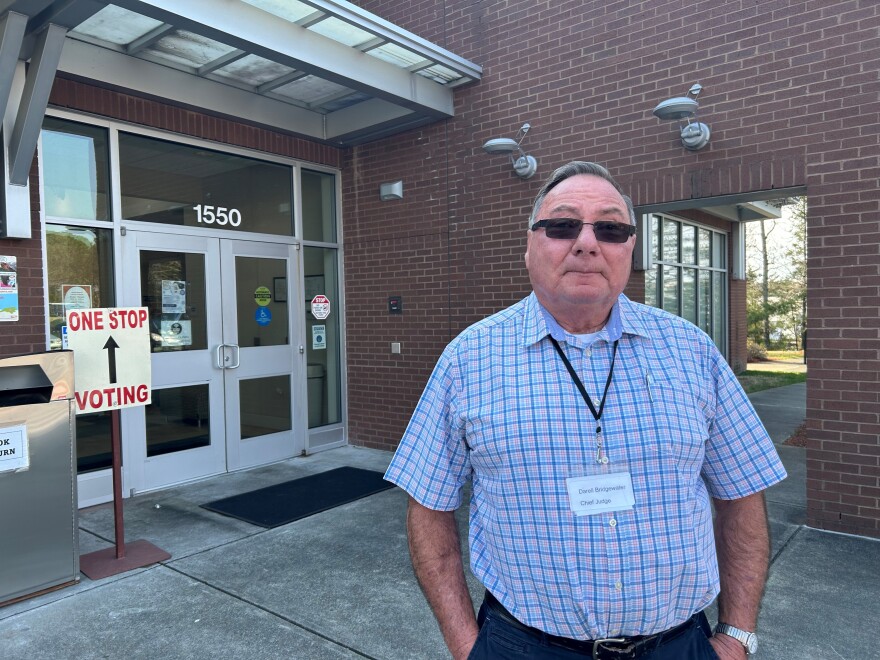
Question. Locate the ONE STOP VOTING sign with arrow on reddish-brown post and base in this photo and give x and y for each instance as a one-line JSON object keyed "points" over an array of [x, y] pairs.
{"points": [[111, 351]]}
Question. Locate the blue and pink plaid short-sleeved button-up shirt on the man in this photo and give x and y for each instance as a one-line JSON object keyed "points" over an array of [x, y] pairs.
{"points": [[501, 409]]}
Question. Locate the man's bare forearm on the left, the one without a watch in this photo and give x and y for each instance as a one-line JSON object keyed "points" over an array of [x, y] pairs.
{"points": [[435, 550]]}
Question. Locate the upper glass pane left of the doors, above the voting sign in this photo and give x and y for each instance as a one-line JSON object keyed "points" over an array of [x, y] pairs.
{"points": [[75, 170]]}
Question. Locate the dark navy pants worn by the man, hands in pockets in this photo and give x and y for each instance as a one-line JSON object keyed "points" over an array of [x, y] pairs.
{"points": [[500, 640]]}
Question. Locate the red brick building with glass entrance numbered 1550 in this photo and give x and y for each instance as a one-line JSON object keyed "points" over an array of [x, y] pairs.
{"points": [[790, 92]]}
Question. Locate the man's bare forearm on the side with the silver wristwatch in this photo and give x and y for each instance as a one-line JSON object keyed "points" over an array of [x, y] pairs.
{"points": [[742, 541]]}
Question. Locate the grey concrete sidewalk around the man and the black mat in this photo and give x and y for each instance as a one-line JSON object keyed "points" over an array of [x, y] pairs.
{"points": [[339, 585]]}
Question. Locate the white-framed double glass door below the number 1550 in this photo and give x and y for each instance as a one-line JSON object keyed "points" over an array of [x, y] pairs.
{"points": [[225, 358]]}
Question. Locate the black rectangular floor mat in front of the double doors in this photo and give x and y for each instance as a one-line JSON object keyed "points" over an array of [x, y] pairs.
{"points": [[283, 503]]}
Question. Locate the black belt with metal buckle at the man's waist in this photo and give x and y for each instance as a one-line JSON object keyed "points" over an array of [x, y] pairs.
{"points": [[612, 648]]}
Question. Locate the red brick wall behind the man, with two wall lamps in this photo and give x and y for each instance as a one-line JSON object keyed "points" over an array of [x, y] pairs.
{"points": [[791, 95]]}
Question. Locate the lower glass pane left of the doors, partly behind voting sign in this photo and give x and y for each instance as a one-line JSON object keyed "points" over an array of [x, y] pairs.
{"points": [[80, 275]]}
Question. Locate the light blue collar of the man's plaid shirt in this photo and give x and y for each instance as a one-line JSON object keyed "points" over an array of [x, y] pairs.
{"points": [[539, 323]]}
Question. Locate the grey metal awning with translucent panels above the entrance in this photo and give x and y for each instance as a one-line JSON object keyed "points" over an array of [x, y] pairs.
{"points": [[324, 69]]}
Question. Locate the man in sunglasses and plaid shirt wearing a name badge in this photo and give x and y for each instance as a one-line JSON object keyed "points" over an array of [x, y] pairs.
{"points": [[595, 431]]}
